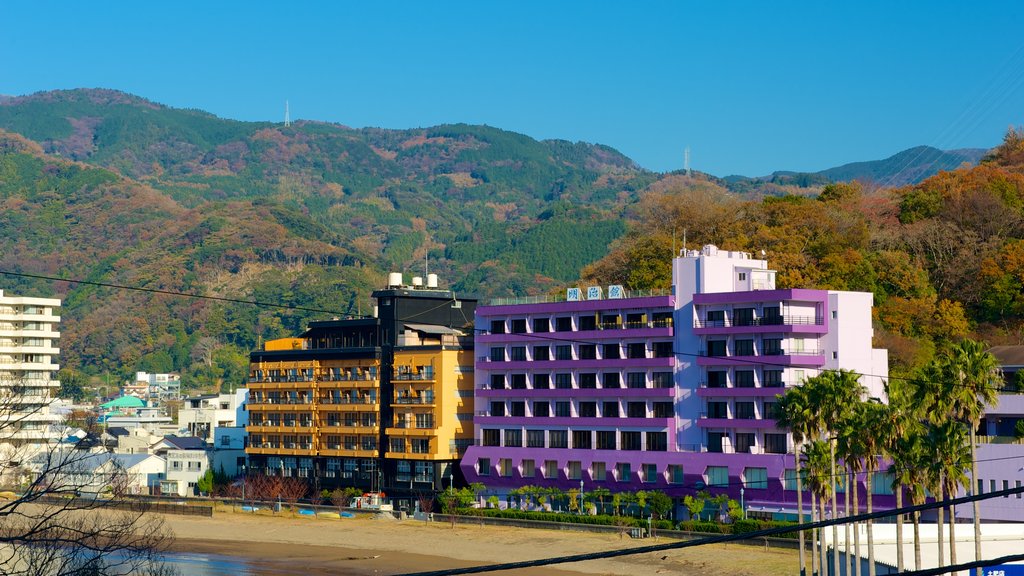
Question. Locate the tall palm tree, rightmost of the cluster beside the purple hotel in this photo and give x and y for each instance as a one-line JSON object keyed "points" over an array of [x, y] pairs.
{"points": [[974, 376]]}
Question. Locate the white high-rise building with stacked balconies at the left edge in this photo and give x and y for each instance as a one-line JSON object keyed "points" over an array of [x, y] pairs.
{"points": [[28, 375]]}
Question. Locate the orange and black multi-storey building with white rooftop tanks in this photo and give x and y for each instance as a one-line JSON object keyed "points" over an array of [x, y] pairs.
{"points": [[385, 403]]}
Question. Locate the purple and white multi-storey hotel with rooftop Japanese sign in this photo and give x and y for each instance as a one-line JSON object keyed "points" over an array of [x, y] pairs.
{"points": [[673, 392]]}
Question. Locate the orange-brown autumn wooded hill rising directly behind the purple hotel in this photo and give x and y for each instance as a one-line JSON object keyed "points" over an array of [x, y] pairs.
{"points": [[945, 257]]}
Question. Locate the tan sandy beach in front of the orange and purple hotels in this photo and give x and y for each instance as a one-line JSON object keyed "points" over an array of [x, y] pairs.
{"points": [[371, 547]]}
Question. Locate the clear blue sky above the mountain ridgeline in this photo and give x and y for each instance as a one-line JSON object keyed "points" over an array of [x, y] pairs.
{"points": [[750, 88]]}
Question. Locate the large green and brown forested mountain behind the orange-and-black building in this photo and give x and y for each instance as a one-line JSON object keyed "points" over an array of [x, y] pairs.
{"points": [[111, 188]]}
